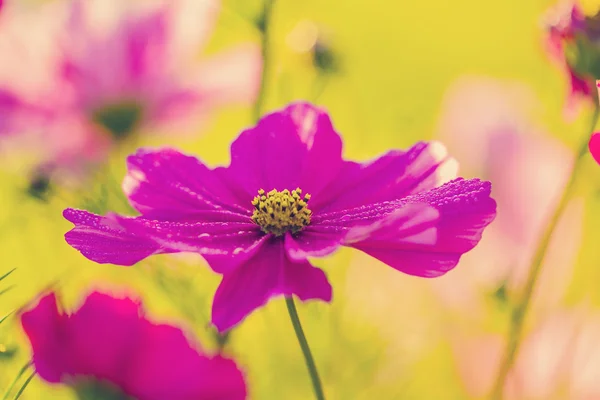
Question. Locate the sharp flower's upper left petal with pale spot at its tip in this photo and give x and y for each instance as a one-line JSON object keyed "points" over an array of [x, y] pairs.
{"points": [[168, 184]]}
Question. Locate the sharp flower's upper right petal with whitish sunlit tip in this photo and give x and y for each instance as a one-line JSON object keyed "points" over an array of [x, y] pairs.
{"points": [[390, 177]]}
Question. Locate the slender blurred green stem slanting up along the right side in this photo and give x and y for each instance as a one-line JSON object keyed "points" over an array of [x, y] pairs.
{"points": [[520, 311]]}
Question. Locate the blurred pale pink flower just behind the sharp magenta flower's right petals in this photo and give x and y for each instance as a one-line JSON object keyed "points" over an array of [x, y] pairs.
{"points": [[484, 122]]}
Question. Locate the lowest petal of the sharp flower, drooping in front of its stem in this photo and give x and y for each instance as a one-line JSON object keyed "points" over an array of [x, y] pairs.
{"points": [[269, 273]]}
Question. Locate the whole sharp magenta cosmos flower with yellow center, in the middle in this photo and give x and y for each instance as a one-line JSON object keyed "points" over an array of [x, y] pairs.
{"points": [[287, 196]]}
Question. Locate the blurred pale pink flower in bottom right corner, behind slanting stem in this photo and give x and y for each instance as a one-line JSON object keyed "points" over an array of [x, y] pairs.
{"points": [[559, 359]]}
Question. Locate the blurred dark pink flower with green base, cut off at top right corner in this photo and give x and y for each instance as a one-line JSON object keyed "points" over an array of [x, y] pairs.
{"points": [[574, 42]]}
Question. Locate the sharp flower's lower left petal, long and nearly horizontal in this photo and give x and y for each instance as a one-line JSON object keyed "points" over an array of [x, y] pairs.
{"points": [[126, 240]]}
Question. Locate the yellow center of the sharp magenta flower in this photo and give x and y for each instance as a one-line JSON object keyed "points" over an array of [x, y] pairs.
{"points": [[280, 212]]}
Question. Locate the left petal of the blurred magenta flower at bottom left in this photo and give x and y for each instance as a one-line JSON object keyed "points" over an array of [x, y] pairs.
{"points": [[85, 343]]}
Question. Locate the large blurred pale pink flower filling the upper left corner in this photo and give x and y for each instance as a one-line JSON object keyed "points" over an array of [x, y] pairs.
{"points": [[106, 69]]}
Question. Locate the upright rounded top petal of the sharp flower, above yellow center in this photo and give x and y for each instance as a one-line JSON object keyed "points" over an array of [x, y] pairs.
{"points": [[293, 147]]}
